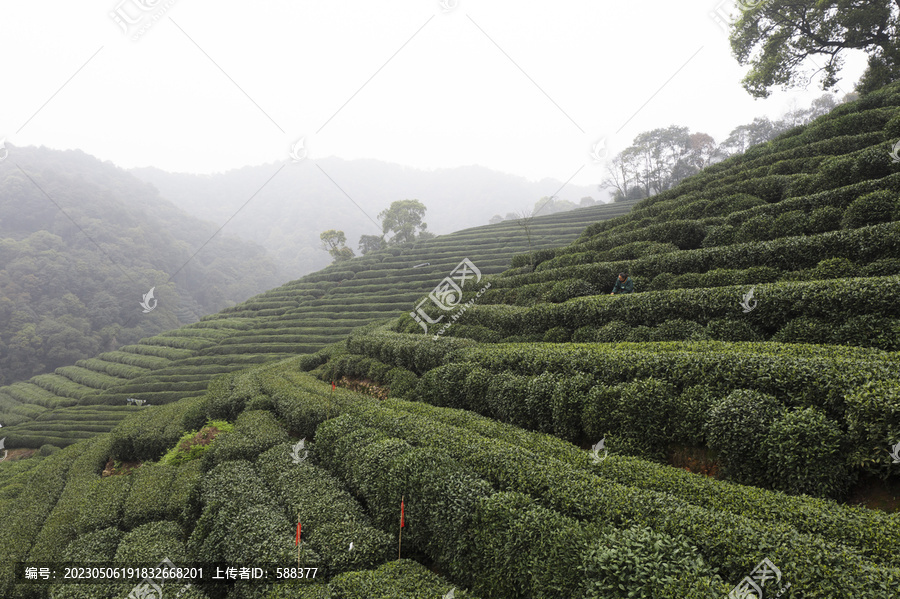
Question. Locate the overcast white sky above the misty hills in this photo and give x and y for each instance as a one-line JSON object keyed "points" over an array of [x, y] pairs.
{"points": [[521, 87]]}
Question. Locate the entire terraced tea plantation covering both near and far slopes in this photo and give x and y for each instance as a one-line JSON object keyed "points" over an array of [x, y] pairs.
{"points": [[702, 438]]}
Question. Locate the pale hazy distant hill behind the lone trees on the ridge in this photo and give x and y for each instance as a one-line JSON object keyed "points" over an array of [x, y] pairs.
{"points": [[289, 212]]}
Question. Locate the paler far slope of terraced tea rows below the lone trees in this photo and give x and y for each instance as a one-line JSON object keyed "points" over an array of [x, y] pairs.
{"points": [[303, 316]]}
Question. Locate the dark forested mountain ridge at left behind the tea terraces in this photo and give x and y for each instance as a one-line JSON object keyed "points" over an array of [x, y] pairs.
{"points": [[82, 242]]}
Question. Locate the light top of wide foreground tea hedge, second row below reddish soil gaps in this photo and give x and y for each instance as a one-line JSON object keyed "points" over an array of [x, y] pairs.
{"points": [[722, 537]]}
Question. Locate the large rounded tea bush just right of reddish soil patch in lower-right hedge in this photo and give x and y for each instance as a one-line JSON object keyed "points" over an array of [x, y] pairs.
{"points": [[737, 428]]}
